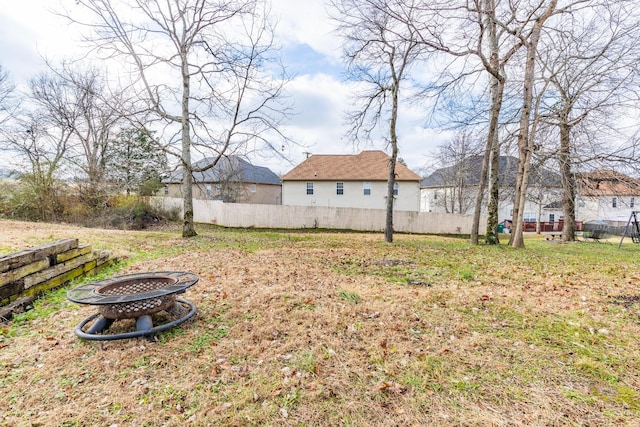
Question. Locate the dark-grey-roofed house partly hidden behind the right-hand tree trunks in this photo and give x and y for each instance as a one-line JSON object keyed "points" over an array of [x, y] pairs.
{"points": [[453, 190]]}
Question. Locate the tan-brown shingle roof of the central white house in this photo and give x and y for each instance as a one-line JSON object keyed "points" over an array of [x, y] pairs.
{"points": [[366, 166]]}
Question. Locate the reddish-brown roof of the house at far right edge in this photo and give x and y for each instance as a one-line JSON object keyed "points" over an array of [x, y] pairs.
{"points": [[607, 183]]}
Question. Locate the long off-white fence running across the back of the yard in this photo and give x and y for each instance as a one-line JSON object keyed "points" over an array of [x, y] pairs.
{"points": [[300, 217]]}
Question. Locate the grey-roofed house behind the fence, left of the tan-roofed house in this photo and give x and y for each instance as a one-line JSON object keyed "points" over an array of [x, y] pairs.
{"points": [[232, 179]]}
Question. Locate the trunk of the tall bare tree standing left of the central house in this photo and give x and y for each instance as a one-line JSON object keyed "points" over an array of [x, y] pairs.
{"points": [[188, 228]]}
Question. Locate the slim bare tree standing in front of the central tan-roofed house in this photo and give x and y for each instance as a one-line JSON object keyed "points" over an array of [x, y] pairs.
{"points": [[379, 51]]}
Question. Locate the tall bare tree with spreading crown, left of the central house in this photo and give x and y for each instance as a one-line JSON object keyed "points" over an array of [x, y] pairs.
{"points": [[204, 68]]}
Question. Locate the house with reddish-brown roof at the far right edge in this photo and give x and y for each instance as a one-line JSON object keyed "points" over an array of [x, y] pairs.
{"points": [[606, 195]]}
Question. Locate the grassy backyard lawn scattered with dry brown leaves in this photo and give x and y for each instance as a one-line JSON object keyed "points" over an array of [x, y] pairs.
{"points": [[318, 329]]}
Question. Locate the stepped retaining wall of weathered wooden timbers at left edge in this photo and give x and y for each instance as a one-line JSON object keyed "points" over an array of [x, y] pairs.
{"points": [[26, 274]]}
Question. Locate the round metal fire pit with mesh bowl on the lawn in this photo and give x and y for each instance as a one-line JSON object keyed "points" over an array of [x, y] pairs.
{"points": [[134, 296]]}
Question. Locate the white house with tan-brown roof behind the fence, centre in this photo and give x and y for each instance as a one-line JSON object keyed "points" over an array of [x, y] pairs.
{"points": [[350, 181]]}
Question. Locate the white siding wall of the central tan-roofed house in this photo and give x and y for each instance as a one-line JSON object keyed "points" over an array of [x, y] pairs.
{"points": [[294, 193]]}
